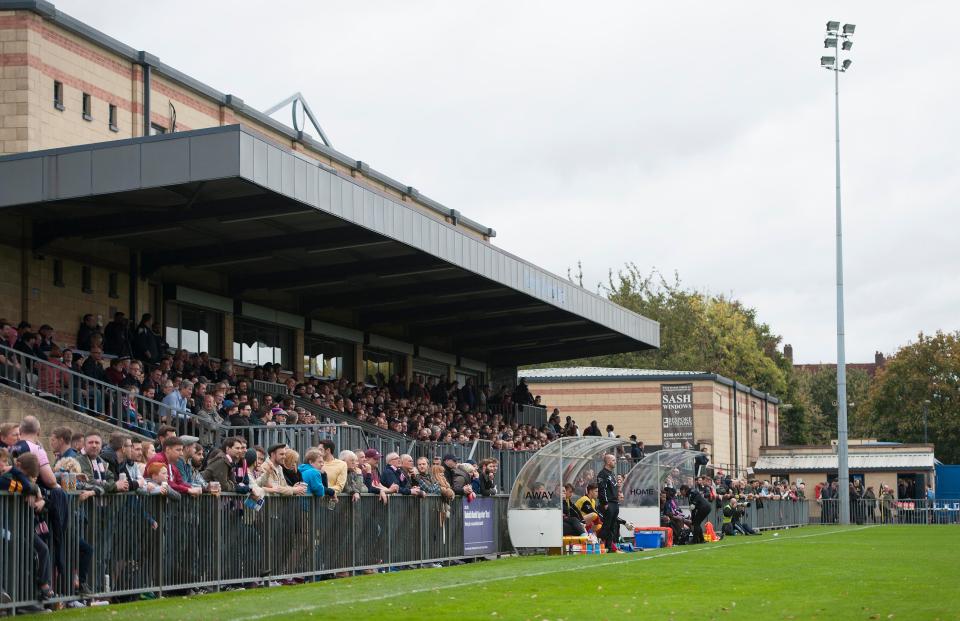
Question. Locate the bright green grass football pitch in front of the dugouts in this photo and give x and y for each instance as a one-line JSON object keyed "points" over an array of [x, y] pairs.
{"points": [[876, 572]]}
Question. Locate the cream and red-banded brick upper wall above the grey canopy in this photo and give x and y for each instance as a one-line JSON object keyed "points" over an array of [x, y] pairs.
{"points": [[37, 52]]}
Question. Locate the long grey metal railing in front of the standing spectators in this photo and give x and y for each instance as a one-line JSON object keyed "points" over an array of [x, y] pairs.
{"points": [[126, 544]]}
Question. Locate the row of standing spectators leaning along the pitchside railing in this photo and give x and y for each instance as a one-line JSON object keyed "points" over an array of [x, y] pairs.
{"points": [[87, 465]]}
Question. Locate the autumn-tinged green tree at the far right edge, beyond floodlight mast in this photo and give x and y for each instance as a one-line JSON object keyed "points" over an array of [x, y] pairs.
{"points": [[922, 378]]}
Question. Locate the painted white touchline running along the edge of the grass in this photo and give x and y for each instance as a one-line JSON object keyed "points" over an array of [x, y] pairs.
{"points": [[634, 559]]}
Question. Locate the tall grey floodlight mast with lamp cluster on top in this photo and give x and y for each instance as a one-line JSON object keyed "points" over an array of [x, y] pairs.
{"points": [[833, 40]]}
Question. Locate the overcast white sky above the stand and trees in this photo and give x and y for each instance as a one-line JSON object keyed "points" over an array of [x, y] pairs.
{"points": [[687, 136]]}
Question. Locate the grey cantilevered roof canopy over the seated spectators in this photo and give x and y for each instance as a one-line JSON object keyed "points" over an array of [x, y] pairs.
{"points": [[230, 212]]}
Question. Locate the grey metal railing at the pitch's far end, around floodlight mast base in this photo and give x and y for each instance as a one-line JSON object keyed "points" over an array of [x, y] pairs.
{"points": [[888, 511]]}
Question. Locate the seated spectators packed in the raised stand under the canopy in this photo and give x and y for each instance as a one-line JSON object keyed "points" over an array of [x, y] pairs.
{"points": [[190, 385]]}
